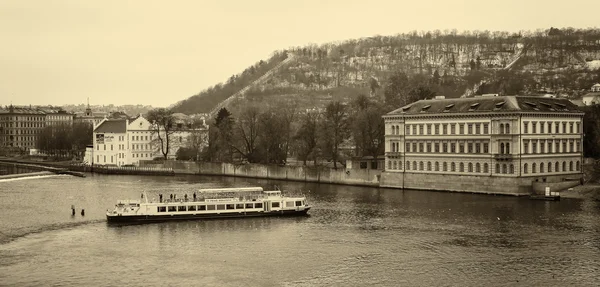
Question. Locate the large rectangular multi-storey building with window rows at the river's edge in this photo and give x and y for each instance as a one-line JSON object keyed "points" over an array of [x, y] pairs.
{"points": [[497, 144]]}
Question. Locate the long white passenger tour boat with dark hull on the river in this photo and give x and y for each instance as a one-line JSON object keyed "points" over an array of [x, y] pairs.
{"points": [[209, 204]]}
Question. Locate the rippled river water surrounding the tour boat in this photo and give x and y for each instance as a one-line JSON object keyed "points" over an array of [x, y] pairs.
{"points": [[354, 236]]}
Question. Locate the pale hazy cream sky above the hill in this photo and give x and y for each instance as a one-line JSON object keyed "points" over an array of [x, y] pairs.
{"points": [[160, 52]]}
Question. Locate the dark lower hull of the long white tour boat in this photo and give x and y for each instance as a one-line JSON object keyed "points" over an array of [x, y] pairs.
{"points": [[110, 218]]}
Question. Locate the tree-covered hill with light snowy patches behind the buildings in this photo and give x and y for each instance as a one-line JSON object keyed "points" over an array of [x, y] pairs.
{"points": [[409, 66]]}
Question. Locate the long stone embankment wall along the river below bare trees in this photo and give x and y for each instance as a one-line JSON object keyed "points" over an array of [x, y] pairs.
{"points": [[365, 177]]}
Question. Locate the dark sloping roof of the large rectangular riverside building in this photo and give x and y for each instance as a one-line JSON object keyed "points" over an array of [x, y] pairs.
{"points": [[488, 104]]}
